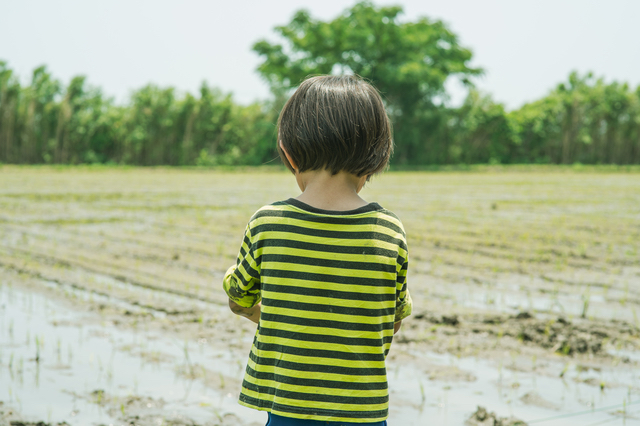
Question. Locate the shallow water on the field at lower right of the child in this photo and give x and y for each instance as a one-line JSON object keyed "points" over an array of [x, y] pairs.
{"points": [[420, 397]]}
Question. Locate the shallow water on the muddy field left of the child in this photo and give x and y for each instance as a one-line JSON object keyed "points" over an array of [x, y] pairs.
{"points": [[56, 366]]}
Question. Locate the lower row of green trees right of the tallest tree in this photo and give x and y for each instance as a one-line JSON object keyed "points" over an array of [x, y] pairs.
{"points": [[583, 120]]}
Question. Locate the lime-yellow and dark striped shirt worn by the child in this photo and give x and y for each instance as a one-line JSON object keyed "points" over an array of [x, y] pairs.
{"points": [[331, 284]]}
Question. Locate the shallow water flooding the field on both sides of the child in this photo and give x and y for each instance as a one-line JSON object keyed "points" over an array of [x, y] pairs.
{"points": [[61, 364]]}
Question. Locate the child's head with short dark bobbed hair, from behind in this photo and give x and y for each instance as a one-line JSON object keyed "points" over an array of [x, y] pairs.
{"points": [[335, 123]]}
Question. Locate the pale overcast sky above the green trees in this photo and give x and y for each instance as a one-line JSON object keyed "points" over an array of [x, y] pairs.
{"points": [[526, 47]]}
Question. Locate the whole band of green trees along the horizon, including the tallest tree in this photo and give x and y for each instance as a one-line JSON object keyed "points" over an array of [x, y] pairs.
{"points": [[584, 119]]}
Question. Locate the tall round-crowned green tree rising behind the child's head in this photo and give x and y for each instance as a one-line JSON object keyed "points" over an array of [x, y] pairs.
{"points": [[409, 62]]}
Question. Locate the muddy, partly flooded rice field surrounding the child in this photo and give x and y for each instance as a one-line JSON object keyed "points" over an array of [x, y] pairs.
{"points": [[525, 282]]}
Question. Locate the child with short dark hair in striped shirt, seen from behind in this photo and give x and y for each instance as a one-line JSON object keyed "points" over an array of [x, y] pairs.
{"points": [[324, 274]]}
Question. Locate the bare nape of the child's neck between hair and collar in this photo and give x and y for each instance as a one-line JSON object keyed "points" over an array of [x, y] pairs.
{"points": [[322, 190]]}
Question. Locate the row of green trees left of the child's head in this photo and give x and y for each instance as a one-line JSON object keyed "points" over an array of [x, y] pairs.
{"points": [[46, 122]]}
